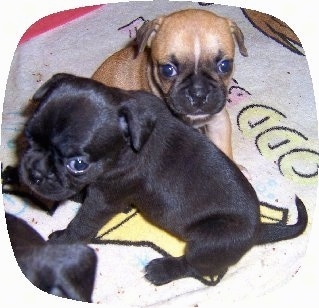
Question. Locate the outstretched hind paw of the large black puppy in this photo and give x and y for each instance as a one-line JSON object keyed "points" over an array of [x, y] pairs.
{"points": [[164, 270]]}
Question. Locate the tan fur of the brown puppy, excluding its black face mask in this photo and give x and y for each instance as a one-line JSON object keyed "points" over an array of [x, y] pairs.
{"points": [[191, 35]]}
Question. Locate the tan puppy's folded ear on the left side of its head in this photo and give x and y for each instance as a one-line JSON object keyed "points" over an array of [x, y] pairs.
{"points": [[146, 33]]}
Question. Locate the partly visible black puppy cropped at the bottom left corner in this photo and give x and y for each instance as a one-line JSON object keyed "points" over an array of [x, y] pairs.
{"points": [[64, 270]]}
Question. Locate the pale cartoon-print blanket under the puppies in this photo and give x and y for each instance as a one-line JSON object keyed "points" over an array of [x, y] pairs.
{"points": [[272, 109]]}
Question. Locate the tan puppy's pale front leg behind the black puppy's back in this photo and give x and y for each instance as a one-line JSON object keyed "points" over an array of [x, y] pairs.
{"points": [[219, 131]]}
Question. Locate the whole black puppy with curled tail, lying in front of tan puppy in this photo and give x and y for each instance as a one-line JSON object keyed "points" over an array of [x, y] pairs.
{"points": [[125, 148]]}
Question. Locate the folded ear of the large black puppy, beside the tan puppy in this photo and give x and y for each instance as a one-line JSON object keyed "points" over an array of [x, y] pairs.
{"points": [[136, 122]]}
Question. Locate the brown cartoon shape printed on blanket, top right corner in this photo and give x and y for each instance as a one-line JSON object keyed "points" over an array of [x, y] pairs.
{"points": [[275, 29]]}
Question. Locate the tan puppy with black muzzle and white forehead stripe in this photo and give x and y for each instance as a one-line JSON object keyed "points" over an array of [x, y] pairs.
{"points": [[186, 58]]}
